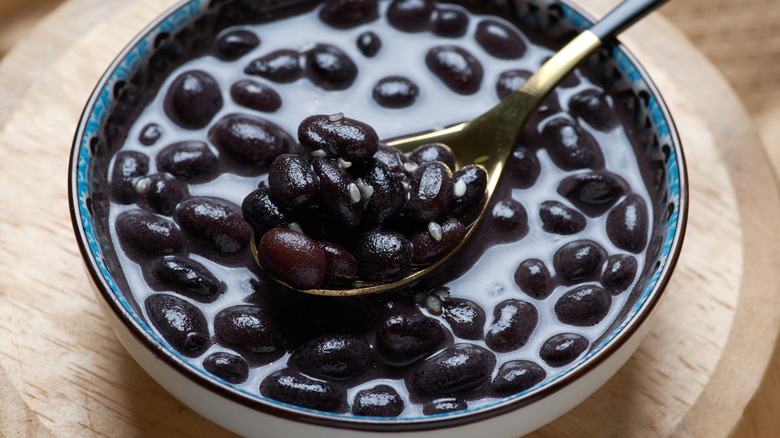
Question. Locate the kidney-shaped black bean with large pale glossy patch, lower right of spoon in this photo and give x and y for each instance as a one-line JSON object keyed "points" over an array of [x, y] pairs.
{"points": [[513, 323]]}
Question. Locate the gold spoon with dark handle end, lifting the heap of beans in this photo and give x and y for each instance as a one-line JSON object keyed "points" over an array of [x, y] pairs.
{"points": [[499, 128]]}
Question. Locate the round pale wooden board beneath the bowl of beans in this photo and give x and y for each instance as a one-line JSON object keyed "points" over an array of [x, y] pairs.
{"points": [[63, 372]]}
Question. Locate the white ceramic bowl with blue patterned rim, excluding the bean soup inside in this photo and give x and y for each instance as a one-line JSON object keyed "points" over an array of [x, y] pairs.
{"points": [[157, 47]]}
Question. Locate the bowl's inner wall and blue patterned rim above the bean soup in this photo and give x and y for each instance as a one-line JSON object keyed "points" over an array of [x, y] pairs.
{"points": [[145, 63]]}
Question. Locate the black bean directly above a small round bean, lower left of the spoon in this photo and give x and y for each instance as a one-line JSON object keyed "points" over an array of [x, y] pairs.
{"points": [[248, 328]]}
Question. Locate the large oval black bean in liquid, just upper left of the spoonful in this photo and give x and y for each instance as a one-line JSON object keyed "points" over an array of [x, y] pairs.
{"points": [[250, 138]]}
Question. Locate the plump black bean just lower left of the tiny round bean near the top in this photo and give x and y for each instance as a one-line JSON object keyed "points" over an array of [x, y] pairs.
{"points": [[329, 68]]}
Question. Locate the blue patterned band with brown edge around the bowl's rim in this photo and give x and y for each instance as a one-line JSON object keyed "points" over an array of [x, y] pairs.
{"points": [[99, 106]]}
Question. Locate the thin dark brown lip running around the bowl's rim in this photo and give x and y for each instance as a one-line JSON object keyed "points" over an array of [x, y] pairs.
{"points": [[585, 365]]}
